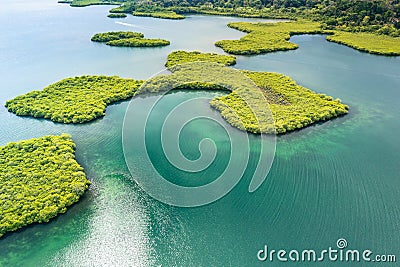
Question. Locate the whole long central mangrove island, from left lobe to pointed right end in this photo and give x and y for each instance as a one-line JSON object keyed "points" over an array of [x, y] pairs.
{"points": [[82, 99]]}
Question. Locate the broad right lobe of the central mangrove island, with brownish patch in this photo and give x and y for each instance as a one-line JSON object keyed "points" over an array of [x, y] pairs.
{"points": [[292, 106]]}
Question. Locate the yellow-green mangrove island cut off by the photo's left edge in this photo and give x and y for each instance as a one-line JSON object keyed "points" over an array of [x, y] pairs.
{"points": [[39, 179]]}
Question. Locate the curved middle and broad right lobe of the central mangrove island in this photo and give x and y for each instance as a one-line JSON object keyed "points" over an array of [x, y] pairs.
{"points": [[251, 106]]}
